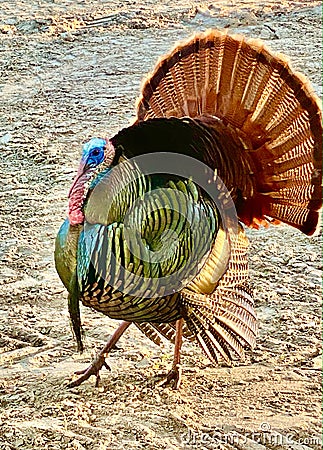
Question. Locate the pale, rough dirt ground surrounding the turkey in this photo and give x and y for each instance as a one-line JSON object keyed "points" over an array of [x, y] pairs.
{"points": [[71, 70]]}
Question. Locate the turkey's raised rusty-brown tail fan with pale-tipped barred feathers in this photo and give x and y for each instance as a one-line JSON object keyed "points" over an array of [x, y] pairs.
{"points": [[271, 108]]}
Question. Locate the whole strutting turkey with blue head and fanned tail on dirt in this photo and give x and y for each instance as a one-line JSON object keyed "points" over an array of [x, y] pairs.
{"points": [[227, 135]]}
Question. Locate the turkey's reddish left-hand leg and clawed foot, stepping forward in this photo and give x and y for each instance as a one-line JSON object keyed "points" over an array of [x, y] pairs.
{"points": [[99, 361]]}
